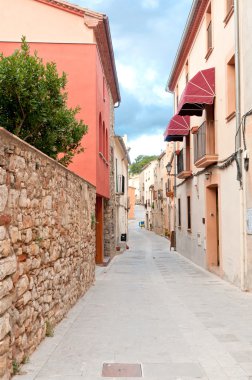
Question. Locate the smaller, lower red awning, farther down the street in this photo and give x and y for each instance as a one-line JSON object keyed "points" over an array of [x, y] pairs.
{"points": [[178, 127]]}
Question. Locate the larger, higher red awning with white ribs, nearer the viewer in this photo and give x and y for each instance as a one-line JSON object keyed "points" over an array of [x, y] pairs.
{"points": [[199, 91]]}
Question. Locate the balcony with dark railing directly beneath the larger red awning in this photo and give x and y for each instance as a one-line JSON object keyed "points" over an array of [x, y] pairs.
{"points": [[204, 145]]}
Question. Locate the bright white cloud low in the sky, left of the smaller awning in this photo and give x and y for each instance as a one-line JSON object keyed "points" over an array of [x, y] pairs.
{"points": [[146, 145]]}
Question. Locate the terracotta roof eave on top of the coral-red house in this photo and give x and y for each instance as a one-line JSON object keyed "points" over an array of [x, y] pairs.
{"points": [[100, 24]]}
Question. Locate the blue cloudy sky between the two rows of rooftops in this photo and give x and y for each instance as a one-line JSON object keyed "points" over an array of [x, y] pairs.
{"points": [[145, 36]]}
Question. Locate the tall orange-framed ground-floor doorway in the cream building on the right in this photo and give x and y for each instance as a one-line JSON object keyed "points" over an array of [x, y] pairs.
{"points": [[212, 227]]}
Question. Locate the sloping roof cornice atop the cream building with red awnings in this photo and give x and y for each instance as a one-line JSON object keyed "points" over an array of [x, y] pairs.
{"points": [[192, 25]]}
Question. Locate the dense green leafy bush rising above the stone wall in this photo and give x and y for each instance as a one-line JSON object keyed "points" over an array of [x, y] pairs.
{"points": [[33, 105]]}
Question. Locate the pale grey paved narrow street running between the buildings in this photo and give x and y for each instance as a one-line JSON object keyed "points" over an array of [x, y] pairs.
{"points": [[151, 307]]}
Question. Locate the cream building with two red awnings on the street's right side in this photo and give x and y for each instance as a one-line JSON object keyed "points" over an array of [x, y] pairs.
{"points": [[209, 198]]}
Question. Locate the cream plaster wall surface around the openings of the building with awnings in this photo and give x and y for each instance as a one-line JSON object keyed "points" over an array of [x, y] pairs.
{"points": [[188, 242]]}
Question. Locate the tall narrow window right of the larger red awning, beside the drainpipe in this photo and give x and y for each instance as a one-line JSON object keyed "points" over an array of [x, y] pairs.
{"points": [[231, 89]]}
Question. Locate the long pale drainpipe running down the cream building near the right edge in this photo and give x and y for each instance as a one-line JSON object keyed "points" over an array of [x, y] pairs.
{"points": [[243, 260]]}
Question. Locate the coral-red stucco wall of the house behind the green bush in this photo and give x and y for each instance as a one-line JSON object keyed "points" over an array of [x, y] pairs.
{"points": [[85, 88]]}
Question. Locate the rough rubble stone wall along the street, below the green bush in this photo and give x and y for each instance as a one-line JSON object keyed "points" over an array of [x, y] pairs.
{"points": [[47, 246]]}
